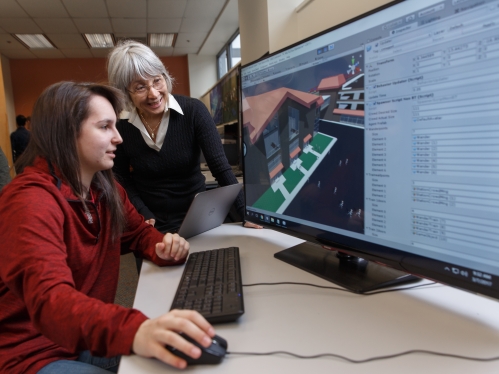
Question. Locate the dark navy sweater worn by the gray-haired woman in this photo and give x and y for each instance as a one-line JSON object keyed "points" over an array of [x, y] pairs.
{"points": [[162, 184]]}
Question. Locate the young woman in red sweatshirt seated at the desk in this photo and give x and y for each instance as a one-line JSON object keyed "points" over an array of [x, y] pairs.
{"points": [[62, 221]]}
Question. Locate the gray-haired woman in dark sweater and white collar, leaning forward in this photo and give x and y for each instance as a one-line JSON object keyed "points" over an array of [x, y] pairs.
{"points": [[163, 135]]}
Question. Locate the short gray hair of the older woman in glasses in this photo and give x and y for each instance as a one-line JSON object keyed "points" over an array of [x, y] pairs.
{"points": [[131, 59]]}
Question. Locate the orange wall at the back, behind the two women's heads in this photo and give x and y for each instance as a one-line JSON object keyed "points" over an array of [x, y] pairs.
{"points": [[31, 77]]}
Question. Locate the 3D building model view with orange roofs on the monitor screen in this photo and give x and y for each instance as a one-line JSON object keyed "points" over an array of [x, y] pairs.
{"points": [[298, 132]]}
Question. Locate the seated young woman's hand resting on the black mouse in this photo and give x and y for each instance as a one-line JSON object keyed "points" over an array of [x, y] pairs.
{"points": [[154, 334]]}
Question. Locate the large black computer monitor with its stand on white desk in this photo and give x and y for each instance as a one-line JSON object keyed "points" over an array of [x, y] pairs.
{"points": [[377, 142]]}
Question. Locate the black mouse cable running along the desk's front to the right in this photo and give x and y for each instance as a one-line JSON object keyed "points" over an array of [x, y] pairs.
{"points": [[370, 359]]}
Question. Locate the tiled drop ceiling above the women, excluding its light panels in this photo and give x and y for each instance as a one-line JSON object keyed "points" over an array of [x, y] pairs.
{"points": [[203, 26]]}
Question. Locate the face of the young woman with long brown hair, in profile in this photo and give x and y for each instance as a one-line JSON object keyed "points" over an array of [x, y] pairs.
{"points": [[98, 139]]}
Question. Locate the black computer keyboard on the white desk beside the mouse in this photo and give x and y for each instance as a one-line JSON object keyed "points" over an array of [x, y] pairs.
{"points": [[211, 284]]}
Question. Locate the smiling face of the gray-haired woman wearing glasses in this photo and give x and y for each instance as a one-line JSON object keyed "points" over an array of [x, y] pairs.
{"points": [[149, 96]]}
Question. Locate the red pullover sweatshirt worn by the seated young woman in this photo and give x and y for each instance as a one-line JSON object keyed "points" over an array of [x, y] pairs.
{"points": [[59, 273]]}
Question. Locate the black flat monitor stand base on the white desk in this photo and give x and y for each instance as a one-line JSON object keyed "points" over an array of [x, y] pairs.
{"points": [[353, 273]]}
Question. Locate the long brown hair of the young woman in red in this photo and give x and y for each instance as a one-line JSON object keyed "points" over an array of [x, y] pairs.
{"points": [[55, 127]]}
